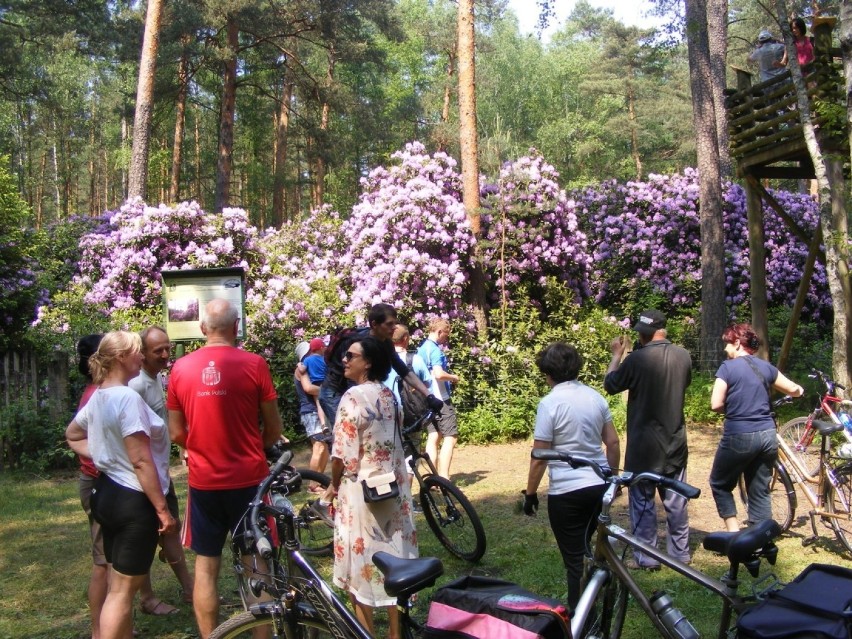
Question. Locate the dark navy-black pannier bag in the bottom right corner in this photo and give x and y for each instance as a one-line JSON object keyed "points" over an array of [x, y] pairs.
{"points": [[815, 605]]}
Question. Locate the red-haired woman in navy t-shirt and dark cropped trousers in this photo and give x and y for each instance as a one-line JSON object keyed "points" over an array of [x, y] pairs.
{"points": [[748, 446]]}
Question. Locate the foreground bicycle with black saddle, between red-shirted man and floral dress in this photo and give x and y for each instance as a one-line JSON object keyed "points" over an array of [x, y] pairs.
{"points": [[299, 603]]}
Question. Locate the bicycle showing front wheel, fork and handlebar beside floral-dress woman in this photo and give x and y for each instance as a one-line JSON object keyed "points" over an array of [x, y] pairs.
{"points": [[449, 514]]}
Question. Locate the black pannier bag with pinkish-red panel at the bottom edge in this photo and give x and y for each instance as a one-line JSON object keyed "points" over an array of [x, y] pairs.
{"points": [[483, 608]]}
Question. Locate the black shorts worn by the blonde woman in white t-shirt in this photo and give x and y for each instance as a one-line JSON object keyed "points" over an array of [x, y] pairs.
{"points": [[130, 526]]}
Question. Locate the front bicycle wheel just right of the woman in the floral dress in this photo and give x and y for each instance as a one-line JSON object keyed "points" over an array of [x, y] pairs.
{"points": [[452, 518]]}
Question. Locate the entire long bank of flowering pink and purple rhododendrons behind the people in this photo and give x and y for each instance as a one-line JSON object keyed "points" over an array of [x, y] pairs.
{"points": [[408, 242]]}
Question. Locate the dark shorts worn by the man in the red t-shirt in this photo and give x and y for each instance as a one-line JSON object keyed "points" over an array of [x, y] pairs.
{"points": [[215, 513]]}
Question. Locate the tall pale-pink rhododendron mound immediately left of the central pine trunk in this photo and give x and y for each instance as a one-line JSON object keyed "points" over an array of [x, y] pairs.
{"points": [[408, 238]]}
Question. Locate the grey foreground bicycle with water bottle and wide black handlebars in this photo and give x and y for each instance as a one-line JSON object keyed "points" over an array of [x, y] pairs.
{"points": [[601, 610]]}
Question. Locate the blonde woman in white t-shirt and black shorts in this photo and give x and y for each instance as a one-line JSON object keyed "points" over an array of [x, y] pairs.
{"points": [[129, 445]]}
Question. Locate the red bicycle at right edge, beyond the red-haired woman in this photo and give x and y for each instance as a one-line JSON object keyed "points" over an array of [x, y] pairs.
{"points": [[799, 432]]}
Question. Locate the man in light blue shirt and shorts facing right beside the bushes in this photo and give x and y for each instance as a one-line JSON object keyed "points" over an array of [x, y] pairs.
{"points": [[447, 422]]}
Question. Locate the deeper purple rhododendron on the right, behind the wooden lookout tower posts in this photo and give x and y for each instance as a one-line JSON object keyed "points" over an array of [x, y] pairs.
{"points": [[646, 235]]}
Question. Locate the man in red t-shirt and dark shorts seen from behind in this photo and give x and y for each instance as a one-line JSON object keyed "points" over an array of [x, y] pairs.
{"points": [[215, 397]]}
